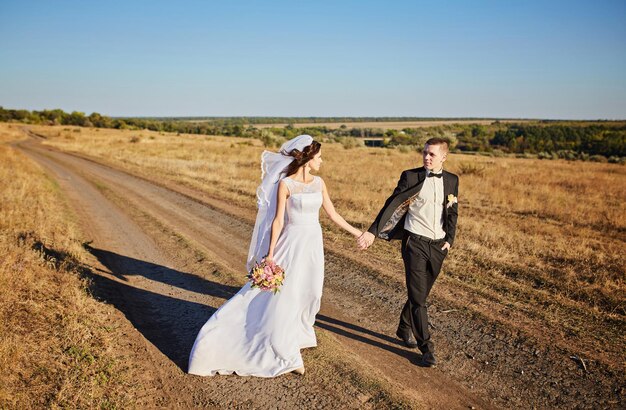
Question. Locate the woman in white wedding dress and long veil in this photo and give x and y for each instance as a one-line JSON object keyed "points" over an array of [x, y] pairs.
{"points": [[258, 333]]}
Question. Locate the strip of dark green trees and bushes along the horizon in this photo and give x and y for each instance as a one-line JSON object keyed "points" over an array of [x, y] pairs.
{"points": [[595, 140]]}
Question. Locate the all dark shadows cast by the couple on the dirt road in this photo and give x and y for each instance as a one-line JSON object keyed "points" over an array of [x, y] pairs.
{"points": [[171, 323]]}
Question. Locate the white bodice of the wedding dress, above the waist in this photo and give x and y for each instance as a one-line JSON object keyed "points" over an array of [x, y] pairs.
{"points": [[304, 201]]}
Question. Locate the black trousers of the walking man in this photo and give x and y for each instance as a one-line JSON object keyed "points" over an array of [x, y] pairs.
{"points": [[422, 263]]}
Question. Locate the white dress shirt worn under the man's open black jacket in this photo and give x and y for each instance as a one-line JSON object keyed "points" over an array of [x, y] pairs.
{"points": [[425, 215]]}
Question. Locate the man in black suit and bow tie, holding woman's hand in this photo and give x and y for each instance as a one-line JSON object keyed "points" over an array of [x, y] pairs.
{"points": [[422, 212]]}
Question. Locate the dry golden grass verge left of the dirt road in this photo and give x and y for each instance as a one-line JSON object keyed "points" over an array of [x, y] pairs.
{"points": [[54, 338]]}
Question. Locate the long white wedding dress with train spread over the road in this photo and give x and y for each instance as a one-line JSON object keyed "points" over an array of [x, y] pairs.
{"points": [[258, 333]]}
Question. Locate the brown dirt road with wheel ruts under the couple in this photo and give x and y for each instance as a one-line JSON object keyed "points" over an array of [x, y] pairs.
{"points": [[166, 257]]}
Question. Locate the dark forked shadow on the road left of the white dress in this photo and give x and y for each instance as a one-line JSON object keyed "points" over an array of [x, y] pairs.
{"points": [[170, 320]]}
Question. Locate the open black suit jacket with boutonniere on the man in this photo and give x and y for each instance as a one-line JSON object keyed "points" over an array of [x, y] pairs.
{"points": [[389, 224]]}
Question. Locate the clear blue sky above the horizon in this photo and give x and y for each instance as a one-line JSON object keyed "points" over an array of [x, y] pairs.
{"points": [[514, 59]]}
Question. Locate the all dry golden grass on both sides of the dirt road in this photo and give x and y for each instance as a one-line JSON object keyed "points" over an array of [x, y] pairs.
{"points": [[539, 250]]}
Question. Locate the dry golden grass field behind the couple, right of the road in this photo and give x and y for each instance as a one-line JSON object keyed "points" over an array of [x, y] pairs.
{"points": [[540, 248]]}
